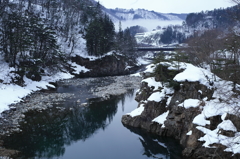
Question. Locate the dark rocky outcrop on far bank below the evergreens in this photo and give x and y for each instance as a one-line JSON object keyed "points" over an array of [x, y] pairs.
{"points": [[109, 65]]}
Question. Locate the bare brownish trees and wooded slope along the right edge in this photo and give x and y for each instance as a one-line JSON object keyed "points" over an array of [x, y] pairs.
{"points": [[217, 47]]}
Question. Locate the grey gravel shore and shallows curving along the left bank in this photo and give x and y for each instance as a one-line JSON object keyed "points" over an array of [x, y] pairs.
{"points": [[75, 90]]}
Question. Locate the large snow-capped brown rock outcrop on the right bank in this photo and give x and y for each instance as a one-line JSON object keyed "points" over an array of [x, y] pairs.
{"points": [[199, 105]]}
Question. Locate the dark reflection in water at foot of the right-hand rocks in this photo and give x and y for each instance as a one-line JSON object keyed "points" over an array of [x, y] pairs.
{"points": [[158, 147]]}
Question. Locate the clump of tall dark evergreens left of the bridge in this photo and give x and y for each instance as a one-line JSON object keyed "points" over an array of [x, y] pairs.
{"points": [[102, 38]]}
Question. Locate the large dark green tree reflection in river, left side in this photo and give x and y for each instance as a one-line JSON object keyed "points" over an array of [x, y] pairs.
{"points": [[45, 134]]}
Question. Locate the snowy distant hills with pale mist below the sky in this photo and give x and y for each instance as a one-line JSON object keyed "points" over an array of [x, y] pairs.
{"points": [[142, 17]]}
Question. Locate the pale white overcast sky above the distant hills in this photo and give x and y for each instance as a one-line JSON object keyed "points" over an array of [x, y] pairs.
{"points": [[168, 6]]}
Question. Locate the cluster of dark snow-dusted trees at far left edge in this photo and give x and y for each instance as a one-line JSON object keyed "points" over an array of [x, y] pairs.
{"points": [[28, 45]]}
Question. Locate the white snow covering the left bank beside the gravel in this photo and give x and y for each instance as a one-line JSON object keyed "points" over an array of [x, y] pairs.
{"points": [[12, 93]]}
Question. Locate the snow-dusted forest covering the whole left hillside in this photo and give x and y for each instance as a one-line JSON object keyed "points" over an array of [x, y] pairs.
{"points": [[32, 30]]}
